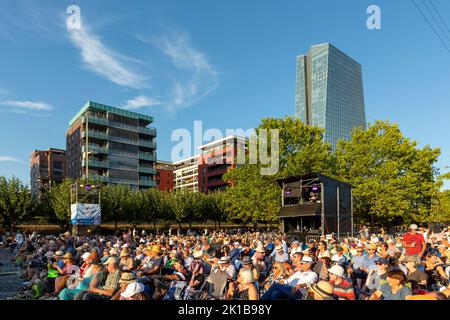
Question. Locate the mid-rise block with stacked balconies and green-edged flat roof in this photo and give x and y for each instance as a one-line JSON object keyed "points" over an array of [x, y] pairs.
{"points": [[112, 145]]}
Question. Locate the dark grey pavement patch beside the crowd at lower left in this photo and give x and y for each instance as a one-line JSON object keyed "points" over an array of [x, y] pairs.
{"points": [[9, 276]]}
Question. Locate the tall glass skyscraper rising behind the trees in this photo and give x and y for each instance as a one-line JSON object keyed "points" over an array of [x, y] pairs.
{"points": [[329, 92]]}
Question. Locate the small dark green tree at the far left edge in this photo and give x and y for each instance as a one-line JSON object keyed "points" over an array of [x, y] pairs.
{"points": [[15, 202]]}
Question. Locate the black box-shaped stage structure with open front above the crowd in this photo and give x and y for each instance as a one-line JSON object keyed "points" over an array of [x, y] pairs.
{"points": [[315, 205]]}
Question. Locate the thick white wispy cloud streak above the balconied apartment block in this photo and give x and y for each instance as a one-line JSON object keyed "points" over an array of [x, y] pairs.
{"points": [[103, 61]]}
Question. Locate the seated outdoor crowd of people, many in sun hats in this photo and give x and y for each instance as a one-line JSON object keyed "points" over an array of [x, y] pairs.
{"points": [[231, 265]]}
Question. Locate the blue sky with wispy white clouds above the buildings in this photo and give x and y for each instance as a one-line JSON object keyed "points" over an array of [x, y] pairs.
{"points": [[226, 63]]}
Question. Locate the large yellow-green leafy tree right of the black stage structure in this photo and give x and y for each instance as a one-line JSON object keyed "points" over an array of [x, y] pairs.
{"points": [[393, 179]]}
